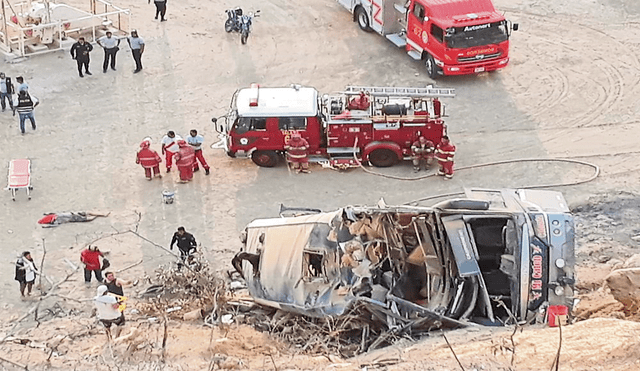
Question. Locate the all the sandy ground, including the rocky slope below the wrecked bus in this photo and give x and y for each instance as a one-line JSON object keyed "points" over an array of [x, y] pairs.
{"points": [[570, 92]]}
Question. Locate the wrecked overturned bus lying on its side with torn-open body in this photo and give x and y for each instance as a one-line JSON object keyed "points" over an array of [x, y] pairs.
{"points": [[495, 257]]}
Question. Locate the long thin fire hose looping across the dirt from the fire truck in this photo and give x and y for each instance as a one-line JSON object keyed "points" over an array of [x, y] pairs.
{"points": [[596, 173]]}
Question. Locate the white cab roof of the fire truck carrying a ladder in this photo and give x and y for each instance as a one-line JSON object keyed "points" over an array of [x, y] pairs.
{"points": [[277, 102]]}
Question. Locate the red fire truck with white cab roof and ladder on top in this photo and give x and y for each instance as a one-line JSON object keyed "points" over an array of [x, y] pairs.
{"points": [[372, 124]]}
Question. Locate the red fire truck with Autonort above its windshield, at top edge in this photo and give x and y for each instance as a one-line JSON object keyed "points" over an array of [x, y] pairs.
{"points": [[452, 37]]}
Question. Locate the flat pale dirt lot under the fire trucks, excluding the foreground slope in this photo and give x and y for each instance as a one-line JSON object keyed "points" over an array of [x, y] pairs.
{"points": [[570, 92]]}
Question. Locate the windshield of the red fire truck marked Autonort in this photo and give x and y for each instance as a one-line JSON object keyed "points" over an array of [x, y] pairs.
{"points": [[478, 35]]}
